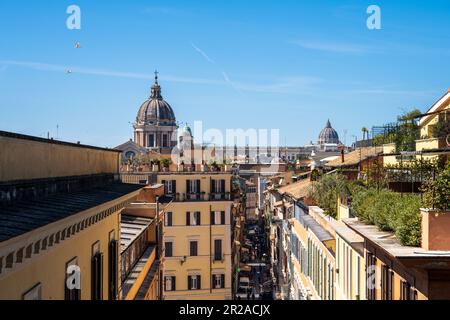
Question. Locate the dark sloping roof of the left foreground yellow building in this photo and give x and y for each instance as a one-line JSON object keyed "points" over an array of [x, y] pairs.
{"points": [[25, 216]]}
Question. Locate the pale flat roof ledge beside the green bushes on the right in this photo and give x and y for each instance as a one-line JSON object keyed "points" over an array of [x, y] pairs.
{"points": [[387, 241]]}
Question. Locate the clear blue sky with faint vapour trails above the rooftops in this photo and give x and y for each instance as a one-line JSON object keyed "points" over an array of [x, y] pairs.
{"points": [[287, 65]]}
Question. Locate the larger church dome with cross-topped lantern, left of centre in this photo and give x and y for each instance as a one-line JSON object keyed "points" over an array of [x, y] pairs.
{"points": [[156, 111]]}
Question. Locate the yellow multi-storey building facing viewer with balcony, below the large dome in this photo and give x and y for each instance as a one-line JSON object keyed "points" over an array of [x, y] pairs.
{"points": [[197, 235]]}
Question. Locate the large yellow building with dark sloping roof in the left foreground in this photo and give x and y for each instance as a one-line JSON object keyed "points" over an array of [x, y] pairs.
{"points": [[60, 209]]}
